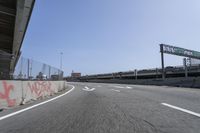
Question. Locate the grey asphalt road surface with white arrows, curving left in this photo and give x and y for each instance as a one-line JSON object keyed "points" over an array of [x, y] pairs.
{"points": [[110, 108]]}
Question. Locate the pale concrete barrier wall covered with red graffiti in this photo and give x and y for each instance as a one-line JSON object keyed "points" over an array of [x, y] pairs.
{"points": [[13, 93]]}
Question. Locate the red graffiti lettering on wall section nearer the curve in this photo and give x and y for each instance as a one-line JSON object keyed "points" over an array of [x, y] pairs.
{"points": [[40, 88]]}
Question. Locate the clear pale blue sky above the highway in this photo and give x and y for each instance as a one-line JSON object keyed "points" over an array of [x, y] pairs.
{"points": [[100, 36]]}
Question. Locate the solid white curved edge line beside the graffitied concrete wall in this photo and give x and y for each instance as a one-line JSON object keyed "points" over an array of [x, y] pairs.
{"points": [[36, 105]]}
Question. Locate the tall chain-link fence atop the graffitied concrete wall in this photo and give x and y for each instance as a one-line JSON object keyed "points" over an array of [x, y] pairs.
{"points": [[33, 70]]}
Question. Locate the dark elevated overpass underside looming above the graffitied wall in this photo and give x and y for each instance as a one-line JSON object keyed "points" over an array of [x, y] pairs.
{"points": [[14, 19]]}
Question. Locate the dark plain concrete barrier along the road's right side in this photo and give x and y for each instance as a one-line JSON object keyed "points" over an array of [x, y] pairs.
{"points": [[192, 82]]}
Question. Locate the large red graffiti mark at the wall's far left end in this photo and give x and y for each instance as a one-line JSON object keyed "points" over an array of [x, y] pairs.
{"points": [[5, 93]]}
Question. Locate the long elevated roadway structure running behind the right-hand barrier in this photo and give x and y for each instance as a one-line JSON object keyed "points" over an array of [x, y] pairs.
{"points": [[156, 73]]}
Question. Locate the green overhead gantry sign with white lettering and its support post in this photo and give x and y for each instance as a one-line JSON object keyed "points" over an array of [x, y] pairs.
{"points": [[176, 51]]}
